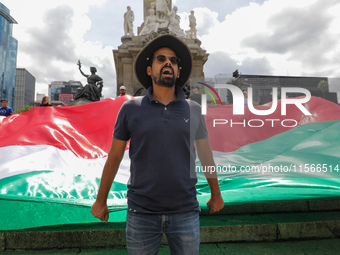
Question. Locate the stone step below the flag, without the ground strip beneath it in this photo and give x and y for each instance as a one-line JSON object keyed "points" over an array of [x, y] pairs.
{"points": [[262, 222]]}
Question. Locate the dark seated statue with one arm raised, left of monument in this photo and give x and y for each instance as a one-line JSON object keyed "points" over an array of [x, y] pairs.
{"points": [[93, 89]]}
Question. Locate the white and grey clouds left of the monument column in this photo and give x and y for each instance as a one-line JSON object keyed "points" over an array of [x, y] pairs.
{"points": [[51, 40]]}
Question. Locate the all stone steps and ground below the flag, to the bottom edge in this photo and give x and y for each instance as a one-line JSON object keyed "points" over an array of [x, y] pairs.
{"points": [[303, 227]]}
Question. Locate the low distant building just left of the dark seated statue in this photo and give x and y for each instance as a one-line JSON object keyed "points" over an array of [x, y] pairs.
{"points": [[63, 90]]}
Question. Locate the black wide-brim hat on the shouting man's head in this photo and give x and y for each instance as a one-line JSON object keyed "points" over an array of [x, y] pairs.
{"points": [[169, 41]]}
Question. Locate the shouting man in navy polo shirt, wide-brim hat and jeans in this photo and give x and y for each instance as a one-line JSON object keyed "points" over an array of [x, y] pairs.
{"points": [[162, 127]]}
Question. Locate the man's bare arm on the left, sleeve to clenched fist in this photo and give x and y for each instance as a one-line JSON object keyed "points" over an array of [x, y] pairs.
{"points": [[99, 208]]}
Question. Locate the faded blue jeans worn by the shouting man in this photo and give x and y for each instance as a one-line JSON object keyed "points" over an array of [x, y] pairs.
{"points": [[144, 232]]}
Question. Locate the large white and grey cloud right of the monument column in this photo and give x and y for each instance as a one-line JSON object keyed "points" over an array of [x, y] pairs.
{"points": [[296, 37]]}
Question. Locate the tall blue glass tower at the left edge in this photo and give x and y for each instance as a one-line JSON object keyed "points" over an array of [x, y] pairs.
{"points": [[8, 56]]}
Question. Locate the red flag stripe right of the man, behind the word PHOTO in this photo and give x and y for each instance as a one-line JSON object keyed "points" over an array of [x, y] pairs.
{"points": [[230, 137]]}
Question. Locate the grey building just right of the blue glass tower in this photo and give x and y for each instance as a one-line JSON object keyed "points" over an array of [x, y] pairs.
{"points": [[24, 88]]}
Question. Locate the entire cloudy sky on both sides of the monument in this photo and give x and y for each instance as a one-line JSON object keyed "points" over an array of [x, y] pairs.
{"points": [[270, 37]]}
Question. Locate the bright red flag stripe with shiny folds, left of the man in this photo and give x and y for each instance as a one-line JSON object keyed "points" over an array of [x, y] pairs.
{"points": [[85, 130]]}
